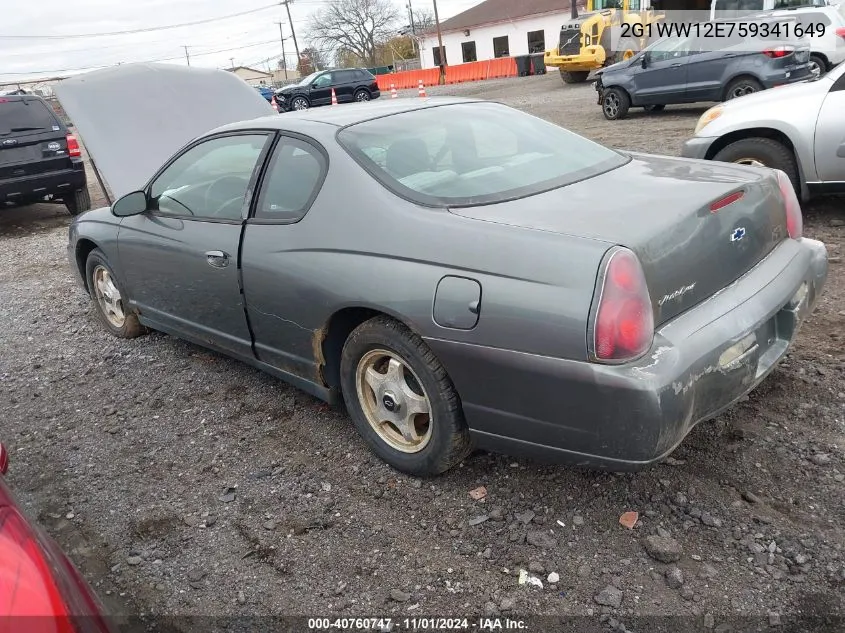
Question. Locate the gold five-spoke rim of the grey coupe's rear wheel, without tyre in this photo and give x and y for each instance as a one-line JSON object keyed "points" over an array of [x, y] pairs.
{"points": [[393, 401]]}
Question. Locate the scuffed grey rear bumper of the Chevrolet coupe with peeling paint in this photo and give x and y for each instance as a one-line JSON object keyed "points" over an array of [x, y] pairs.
{"points": [[628, 417]]}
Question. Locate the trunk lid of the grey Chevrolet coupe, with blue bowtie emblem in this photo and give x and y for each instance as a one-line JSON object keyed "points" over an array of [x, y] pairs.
{"points": [[659, 207]]}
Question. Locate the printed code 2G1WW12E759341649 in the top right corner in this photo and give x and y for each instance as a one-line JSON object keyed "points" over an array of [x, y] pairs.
{"points": [[714, 30]]}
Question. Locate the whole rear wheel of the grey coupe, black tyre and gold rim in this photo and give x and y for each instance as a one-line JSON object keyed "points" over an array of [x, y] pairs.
{"points": [[401, 399]]}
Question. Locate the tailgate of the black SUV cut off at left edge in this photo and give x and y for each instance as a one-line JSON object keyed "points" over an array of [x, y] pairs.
{"points": [[32, 139]]}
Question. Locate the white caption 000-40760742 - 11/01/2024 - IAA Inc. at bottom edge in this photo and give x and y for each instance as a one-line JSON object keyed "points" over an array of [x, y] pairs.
{"points": [[385, 625]]}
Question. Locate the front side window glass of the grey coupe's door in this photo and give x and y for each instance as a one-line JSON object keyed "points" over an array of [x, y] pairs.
{"points": [[210, 180]]}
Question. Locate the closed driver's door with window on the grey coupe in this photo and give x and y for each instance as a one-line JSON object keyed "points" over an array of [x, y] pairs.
{"points": [[180, 258]]}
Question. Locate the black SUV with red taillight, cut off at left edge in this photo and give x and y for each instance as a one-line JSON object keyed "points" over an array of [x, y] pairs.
{"points": [[39, 159]]}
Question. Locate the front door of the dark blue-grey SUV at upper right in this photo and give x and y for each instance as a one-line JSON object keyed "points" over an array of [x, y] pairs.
{"points": [[663, 79]]}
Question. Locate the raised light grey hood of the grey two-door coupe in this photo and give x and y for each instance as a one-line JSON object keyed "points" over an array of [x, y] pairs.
{"points": [[134, 117]]}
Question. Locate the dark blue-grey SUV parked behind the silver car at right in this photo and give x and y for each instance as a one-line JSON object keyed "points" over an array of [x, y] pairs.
{"points": [[688, 70]]}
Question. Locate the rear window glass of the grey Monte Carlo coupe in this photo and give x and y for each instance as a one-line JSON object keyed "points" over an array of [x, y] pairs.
{"points": [[473, 153]]}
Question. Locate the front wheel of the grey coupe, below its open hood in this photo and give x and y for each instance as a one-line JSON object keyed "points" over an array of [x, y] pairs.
{"points": [[109, 300]]}
